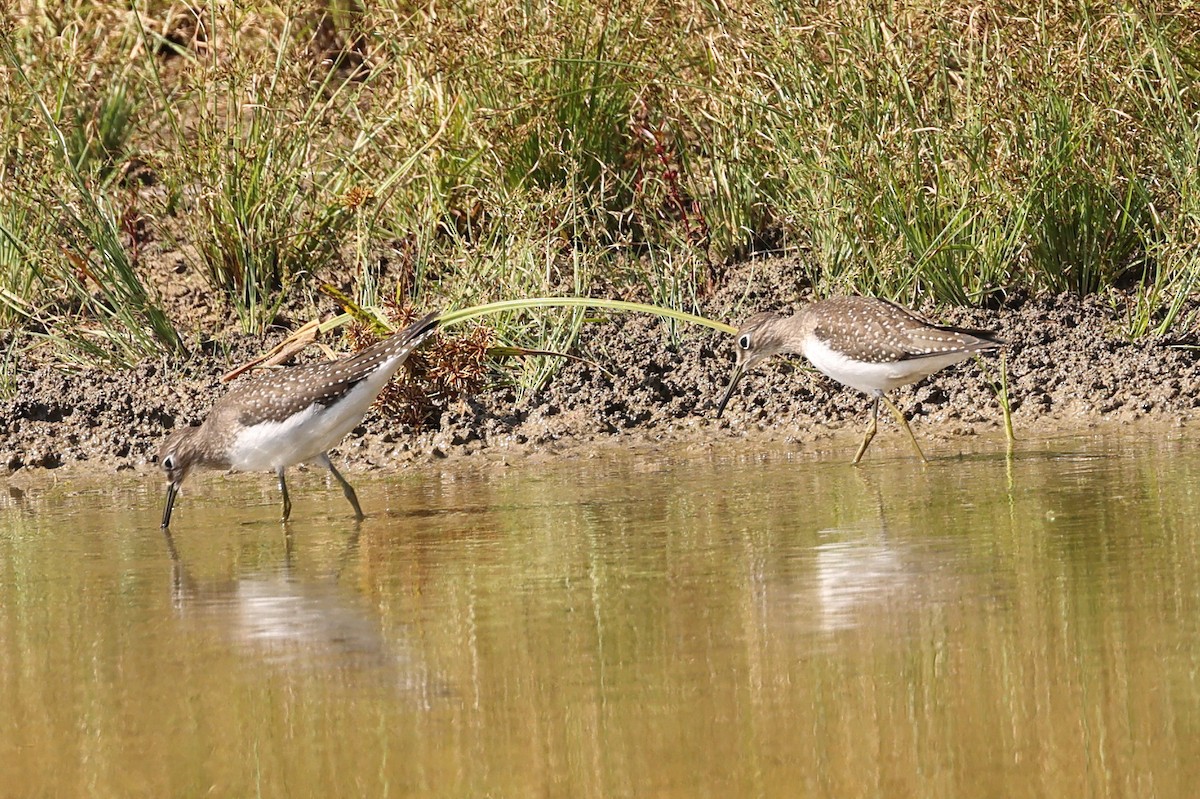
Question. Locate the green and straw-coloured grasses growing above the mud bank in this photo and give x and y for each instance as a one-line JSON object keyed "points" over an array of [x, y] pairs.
{"points": [[957, 152]]}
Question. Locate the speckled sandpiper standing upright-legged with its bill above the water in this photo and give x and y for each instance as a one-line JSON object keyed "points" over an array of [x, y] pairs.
{"points": [[867, 344]]}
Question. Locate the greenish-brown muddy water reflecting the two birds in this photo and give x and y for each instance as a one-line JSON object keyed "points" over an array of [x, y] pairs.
{"points": [[701, 623]]}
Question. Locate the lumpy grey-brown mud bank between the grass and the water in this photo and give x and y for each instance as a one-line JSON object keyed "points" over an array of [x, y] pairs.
{"points": [[1070, 367]]}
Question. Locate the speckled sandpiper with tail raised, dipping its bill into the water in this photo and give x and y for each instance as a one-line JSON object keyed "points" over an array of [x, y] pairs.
{"points": [[290, 417]]}
